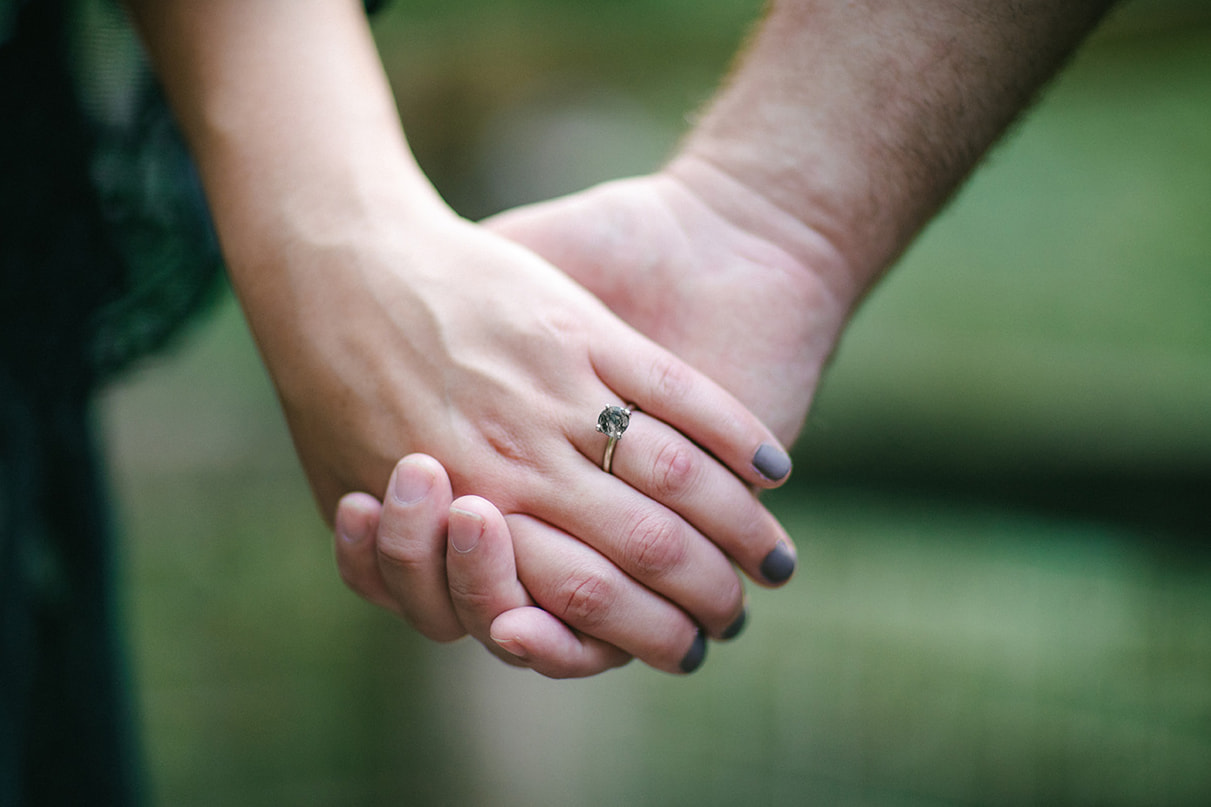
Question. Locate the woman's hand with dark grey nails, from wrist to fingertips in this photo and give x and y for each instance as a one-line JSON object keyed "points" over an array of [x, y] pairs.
{"points": [[450, 341]]}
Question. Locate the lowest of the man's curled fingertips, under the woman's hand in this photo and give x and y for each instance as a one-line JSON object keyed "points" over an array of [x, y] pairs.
{"points": [[550, 648]]}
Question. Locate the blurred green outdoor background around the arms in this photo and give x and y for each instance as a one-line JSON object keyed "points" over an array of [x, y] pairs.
{"points": [[1001, 502]]}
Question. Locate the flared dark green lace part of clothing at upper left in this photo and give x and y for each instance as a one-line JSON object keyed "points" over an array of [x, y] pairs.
{"points": [[107, 248]]}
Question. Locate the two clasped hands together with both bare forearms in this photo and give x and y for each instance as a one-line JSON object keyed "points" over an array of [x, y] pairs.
{"points": [[709, 295]]}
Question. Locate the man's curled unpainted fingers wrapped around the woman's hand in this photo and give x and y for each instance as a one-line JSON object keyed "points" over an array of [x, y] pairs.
{"points": [[474, 582]]}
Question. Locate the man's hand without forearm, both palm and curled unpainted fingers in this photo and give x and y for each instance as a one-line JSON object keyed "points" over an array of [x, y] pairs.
{"points": [[747, 304]]}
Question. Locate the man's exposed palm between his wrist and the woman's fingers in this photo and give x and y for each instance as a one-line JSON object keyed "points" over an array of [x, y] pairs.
{"points": [[751, 307]]}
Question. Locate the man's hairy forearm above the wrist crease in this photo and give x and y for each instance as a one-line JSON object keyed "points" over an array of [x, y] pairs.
{"points": [[859, 119]]}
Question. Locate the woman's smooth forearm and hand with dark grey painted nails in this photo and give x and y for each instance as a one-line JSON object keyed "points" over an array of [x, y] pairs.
{"points": [[391, 327]]}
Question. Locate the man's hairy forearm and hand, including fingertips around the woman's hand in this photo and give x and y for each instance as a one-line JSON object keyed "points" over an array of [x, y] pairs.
{"points": [[842, 133]]}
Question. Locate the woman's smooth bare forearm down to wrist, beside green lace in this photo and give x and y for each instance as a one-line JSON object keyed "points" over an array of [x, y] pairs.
{"points": [[291, 121]]}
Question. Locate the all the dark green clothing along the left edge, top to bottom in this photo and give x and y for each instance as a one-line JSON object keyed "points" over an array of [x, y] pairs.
{"points": [[106, 251]]}
